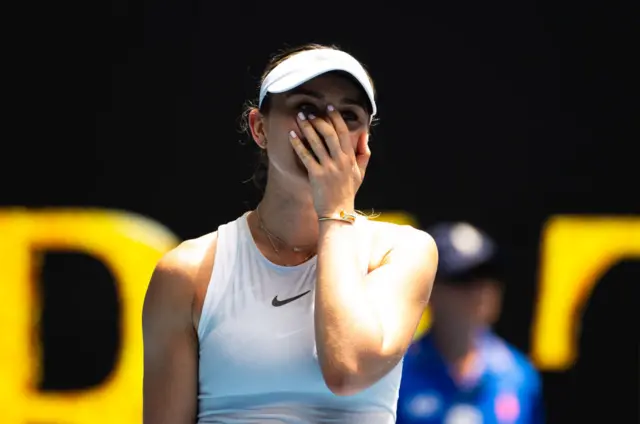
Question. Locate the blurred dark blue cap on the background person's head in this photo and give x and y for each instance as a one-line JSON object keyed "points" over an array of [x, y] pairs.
{"points": [[462, 250]]}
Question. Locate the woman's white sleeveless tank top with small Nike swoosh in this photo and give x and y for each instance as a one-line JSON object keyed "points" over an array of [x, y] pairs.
{"points": [[258, 362]]}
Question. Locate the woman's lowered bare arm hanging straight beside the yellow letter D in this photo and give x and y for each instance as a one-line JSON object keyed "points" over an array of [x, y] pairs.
{"points": [[170, 345]]}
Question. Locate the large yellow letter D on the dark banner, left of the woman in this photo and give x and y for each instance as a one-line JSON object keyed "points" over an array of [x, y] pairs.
{"points": [[130, 246]]}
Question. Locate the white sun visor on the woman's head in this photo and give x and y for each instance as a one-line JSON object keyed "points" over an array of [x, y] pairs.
{"points": [[309, 64]]}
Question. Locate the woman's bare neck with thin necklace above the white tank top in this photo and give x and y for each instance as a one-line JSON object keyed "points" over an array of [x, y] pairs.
{"points": [[290, 217]]}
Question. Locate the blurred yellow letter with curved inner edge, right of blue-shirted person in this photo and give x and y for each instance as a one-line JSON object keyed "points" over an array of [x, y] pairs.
{"points": [[576, 253]]}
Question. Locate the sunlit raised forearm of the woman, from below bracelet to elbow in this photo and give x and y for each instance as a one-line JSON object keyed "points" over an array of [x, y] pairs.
{"points": [[348, 331]]}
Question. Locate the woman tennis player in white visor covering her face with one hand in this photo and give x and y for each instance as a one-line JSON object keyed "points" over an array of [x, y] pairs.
{"points": [[299, 311]]}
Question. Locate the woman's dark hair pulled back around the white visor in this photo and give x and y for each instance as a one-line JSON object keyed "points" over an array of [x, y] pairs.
{"points": [[259, 177]]}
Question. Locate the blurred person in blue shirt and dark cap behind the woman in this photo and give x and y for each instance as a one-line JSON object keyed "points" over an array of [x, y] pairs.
{"points": [[461, 372]]}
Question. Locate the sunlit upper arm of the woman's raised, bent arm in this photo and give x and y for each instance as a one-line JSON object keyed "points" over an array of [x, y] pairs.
{"points": [[401, 286]]}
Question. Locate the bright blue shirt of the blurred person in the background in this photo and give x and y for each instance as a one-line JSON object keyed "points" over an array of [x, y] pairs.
{"points": [[505, 389]]}
